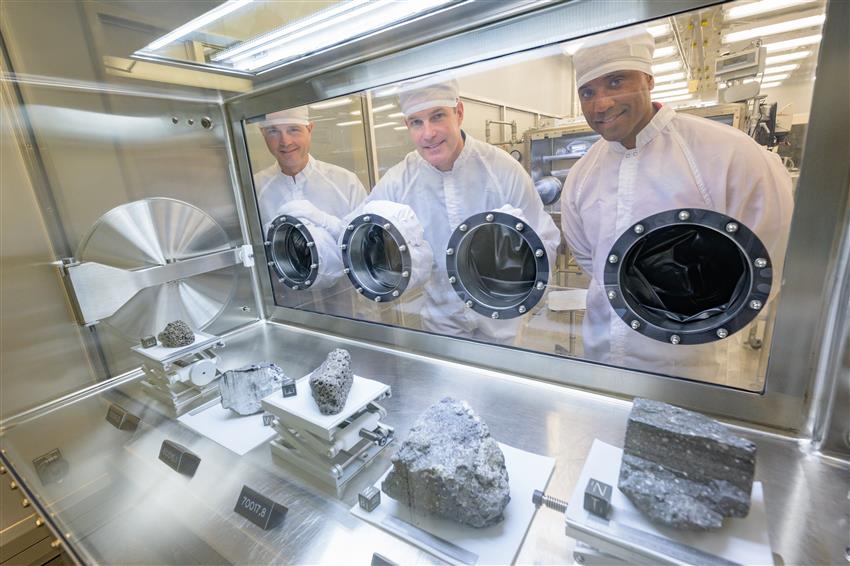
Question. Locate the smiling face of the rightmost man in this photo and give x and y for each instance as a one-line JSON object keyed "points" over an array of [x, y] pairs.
{"points": [[618, 105]]}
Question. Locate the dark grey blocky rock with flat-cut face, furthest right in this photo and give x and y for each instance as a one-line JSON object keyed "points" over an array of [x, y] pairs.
{"points": [[683, 469]]}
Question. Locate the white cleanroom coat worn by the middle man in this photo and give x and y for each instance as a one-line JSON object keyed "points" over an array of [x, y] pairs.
{"points": [[482, 178]]}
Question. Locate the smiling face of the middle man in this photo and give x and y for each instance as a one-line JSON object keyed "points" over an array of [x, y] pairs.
{"points": [[436, 134]]}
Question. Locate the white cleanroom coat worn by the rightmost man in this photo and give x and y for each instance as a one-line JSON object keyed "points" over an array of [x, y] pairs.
{"points": [[679, 161]]}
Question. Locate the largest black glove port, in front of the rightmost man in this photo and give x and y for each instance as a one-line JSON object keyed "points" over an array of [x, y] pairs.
{"points": [[688, 276]]}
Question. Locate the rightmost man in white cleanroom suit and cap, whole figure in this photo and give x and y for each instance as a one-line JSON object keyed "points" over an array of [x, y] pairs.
{"points": [[652, 159]]}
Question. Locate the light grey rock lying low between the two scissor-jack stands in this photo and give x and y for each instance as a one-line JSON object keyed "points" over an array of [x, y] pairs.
{"points": [[243, 388]]}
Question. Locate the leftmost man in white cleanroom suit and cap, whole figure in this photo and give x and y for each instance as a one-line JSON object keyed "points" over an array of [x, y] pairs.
{"points": [[317, 193]]}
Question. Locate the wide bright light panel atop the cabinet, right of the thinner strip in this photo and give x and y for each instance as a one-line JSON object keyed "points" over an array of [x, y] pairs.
{"points": [[324, 29]]}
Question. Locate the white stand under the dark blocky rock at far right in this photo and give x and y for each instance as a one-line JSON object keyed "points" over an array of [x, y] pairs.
{"points": [[630, 537]]}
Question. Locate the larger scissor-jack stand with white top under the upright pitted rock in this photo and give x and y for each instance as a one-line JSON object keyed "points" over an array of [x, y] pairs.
{"points": [[330, 448]]}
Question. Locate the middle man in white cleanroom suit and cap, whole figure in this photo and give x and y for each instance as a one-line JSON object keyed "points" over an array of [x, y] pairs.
{"points": [[448, 178]]}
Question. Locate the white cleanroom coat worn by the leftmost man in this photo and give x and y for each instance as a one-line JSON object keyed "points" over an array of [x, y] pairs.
{"points": [[331, 189]]}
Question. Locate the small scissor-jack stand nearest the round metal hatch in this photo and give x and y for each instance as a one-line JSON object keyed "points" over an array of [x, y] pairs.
{"points": [[182, 378]]}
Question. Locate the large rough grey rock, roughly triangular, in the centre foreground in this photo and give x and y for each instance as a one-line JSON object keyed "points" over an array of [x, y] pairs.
{"points": [[451, 466]]}
